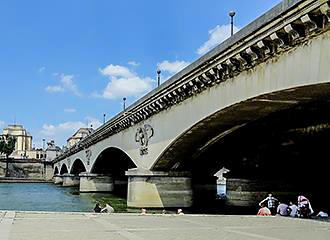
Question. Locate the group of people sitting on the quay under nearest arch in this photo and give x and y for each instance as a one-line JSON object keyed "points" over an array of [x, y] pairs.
{"points": [[271, 206]]}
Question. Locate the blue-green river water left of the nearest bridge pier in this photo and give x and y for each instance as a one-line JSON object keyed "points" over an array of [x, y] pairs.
{"points": [[49, 197]]}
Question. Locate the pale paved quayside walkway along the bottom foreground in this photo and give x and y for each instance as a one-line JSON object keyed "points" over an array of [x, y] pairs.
{"points": [[42, 225]]}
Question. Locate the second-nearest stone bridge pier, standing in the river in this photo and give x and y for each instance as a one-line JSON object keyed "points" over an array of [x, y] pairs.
{"points": [[91, 182]]}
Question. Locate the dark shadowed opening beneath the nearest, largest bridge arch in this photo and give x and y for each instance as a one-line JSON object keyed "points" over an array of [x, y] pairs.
{"points": [[273, 143]]}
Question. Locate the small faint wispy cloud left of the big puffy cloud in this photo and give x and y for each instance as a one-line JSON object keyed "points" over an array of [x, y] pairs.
{"points": [[67, 84]]}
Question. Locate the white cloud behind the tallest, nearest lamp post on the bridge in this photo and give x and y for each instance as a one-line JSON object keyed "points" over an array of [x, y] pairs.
{"points": [[216, 36]]}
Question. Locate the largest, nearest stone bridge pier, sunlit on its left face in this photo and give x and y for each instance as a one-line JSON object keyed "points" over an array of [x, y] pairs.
{"points": [[158, 189]]}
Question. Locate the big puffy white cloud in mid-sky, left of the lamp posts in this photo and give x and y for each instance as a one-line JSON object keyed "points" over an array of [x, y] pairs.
{"points": [[123, 83]]}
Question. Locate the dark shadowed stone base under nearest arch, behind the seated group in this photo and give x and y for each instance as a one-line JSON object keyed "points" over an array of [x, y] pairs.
{"points": [[249, 192]]}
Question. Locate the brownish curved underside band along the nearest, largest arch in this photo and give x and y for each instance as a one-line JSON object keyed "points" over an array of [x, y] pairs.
{"points": [[191, 143]]}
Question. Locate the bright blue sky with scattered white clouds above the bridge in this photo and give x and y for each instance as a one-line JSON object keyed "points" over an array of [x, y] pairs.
{"points": [[65, 63]]}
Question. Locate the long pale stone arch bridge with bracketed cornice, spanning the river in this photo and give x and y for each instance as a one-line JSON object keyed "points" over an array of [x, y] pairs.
{"points": [[265, 84]]}
